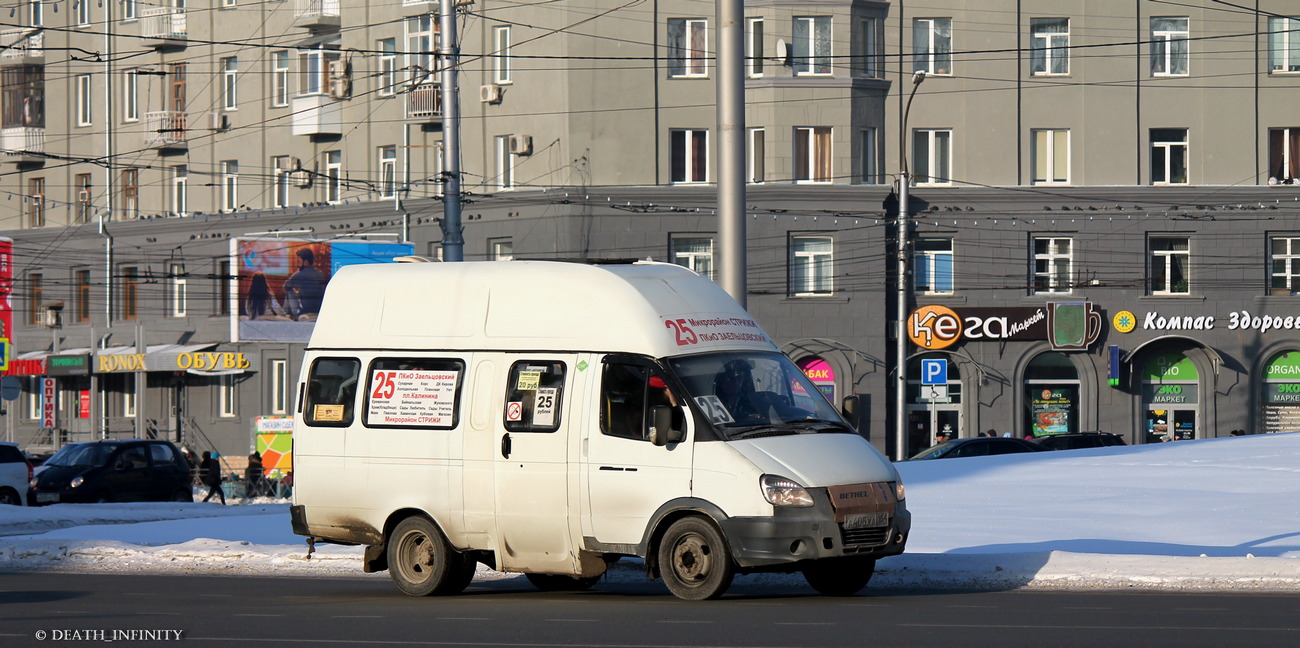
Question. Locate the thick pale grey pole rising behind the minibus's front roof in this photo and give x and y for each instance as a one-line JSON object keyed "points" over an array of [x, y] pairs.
{"points": [[731, 146]]}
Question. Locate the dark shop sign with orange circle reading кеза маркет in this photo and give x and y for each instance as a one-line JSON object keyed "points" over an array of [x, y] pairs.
{"points": [[1069, 326]]}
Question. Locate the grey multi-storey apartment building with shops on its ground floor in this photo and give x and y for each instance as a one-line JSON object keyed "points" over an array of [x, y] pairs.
{"points": [[1072, 162]]}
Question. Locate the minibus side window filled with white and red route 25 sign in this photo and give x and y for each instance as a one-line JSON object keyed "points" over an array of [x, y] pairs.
{"points": [[414, 394]]}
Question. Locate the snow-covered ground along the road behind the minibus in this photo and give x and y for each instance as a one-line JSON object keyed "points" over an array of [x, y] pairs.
{"points": [[1212, 515]]}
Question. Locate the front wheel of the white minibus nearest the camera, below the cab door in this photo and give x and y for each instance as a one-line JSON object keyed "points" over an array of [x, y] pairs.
{"points": [[695, 561]]}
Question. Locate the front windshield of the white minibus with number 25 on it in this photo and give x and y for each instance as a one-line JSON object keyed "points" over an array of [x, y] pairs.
{"points": [[751, 394]]}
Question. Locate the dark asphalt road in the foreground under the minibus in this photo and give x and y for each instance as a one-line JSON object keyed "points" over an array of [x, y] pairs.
{"points": [[51, 610]]}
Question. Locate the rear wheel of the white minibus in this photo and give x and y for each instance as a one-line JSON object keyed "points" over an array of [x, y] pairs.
{"points": [[422, 563]]}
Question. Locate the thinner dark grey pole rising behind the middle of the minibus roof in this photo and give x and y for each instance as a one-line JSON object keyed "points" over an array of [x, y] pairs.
{"points": [[449, 64]]}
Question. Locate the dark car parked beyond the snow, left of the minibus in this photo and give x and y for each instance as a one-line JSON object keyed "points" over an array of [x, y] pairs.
{"points": [[115, 472]]}
